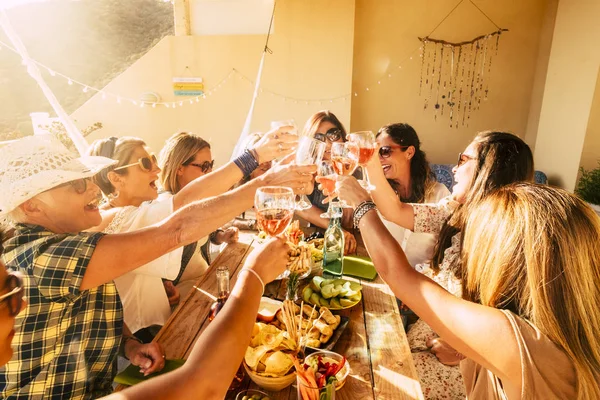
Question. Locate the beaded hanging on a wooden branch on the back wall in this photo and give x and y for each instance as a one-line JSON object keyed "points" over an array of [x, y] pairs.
{"points": [[455, 77]]}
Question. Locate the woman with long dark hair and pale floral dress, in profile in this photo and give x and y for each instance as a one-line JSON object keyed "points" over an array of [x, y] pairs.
{"points": [[491, 161]]}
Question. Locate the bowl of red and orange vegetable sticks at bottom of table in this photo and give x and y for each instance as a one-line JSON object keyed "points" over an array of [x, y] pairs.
{"points": [[328, 367]]}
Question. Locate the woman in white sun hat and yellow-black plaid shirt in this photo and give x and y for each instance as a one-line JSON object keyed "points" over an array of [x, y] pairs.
{"points": [[67, 339]]}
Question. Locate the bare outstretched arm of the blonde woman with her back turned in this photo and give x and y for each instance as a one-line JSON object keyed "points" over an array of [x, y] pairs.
{"points": [[482, 334]]}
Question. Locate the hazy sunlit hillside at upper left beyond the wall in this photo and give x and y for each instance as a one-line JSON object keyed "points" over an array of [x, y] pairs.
{"points": [[92, 41]]}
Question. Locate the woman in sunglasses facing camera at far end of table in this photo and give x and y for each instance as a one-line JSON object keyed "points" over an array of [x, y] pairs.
{"points": [[326, 127]]}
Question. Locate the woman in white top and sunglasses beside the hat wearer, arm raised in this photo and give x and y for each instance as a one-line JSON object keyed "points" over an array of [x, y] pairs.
{"points": [[131, 189]]}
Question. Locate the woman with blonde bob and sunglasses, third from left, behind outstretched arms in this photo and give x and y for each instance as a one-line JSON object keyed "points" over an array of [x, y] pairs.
{"points": [[184, 158]]}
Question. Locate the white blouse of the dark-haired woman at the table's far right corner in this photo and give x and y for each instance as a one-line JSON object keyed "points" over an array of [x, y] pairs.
{"points": [[418, 246]]}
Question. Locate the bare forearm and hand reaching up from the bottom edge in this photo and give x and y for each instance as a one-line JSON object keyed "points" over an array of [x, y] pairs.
{"points": [[220, 349]]}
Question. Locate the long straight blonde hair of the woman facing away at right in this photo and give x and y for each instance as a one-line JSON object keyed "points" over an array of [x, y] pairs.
{"points": [[535, 250]]}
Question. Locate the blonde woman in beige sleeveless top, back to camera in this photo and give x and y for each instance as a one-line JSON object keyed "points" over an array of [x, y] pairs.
{"points": [[528, 323]]}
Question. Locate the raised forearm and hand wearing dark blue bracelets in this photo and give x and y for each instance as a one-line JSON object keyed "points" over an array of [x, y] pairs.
{"points": [[275, 143]]}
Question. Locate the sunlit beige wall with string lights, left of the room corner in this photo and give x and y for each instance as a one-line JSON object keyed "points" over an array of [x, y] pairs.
{"points": [[312, 59]]}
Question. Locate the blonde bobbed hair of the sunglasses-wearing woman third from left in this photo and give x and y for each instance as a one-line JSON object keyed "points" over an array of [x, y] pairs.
{"points": [[179, 150]]}
